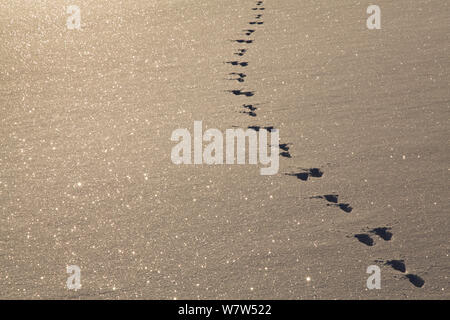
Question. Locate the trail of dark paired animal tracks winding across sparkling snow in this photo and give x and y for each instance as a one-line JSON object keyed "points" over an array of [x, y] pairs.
{"points": [[367, 237]]}
